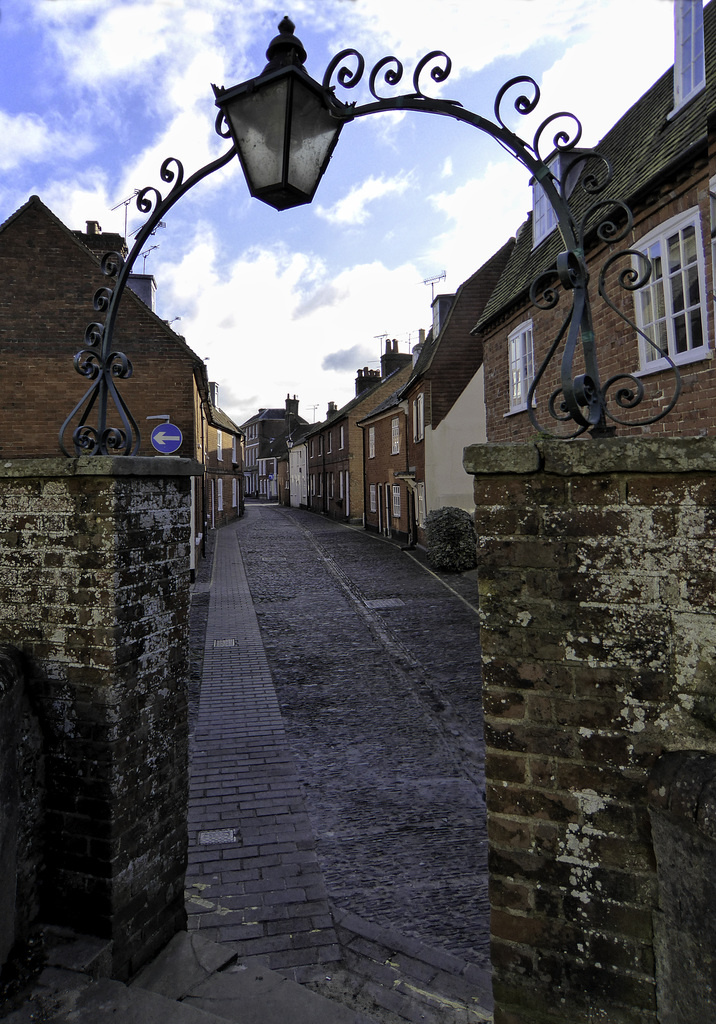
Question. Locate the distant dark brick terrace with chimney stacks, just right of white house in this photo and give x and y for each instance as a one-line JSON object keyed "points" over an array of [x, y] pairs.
{"points": [[335, 452]]}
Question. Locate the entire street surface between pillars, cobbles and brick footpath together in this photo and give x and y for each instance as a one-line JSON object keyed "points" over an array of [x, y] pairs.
{"points": [[336, 820]]}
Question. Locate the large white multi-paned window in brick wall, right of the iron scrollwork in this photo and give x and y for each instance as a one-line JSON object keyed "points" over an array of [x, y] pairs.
{"points": [[670, 308]]}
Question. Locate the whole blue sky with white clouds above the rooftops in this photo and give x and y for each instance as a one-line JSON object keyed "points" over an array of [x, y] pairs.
{"points": [[95, 96]]}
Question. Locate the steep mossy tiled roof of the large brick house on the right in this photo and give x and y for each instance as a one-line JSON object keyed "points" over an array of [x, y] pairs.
{"points": [[645, 146]]}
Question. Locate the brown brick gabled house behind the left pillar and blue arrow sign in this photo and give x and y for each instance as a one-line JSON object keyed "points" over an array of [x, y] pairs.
{"points": [[44, 318]]}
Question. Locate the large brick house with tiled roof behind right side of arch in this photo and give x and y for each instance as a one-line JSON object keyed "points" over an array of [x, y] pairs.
{"points": [[664, 156]]}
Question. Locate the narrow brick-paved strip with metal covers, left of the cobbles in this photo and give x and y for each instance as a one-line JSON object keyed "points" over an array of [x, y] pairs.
{"points": [[254, 876]]}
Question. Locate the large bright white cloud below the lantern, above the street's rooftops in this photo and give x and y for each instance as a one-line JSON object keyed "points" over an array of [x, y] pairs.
{"points": [[251, 354]]}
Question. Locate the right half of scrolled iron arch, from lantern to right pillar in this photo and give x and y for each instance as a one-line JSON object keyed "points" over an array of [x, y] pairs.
{"points": [[581, 400]]}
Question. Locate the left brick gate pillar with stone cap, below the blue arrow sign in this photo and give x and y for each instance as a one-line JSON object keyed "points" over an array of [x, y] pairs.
{"points": [[95, 574]]}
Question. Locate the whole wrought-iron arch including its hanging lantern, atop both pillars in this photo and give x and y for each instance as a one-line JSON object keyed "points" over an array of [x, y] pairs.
{"points": [[284, 127]]}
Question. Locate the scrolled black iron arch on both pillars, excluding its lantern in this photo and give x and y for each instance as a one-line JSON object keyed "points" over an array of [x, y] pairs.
{"points": [[580, 401]]}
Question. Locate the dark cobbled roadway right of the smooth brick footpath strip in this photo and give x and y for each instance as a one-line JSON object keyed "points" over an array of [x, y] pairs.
{"points": [[376, 667]]}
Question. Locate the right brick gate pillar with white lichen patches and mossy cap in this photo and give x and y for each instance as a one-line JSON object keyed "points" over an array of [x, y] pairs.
{"points": [[598, 585]]}
